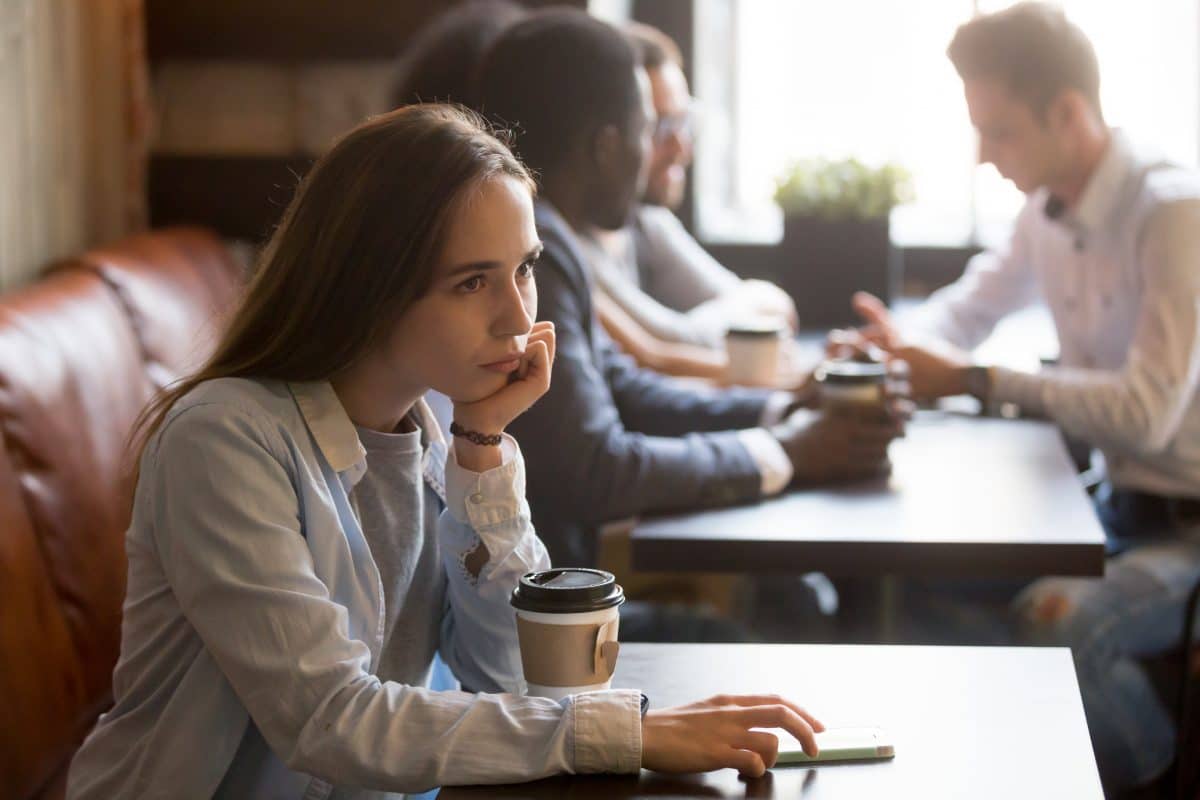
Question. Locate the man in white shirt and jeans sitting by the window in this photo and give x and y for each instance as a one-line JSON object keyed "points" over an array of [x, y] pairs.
{"points": [[1109, 239]]}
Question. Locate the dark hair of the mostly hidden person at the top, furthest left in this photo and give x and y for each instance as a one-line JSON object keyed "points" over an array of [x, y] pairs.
{"points": [[439, 64]]}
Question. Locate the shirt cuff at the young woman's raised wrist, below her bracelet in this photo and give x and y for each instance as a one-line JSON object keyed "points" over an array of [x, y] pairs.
{"points": [[491, 498]]}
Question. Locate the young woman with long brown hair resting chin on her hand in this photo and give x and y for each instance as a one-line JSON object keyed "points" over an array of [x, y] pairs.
{"points": [[303, 542]]}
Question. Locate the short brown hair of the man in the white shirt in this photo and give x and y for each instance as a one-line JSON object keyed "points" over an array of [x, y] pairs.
{"points": [[1034, 50]]}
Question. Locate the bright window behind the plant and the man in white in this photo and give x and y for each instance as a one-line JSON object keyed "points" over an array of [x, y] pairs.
{"points": [[782, 80]]}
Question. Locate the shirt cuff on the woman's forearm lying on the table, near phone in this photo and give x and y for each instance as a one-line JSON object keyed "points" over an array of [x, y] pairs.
{"points": [[608, 731]]}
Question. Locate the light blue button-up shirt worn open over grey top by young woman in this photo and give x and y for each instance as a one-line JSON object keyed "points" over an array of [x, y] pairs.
{"points": [[254, 622]]}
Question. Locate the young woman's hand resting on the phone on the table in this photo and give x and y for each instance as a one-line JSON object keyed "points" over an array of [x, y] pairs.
{"points": [[723, 732]]}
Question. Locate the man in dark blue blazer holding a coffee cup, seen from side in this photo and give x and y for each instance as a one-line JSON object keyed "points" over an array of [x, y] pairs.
{"points": [[616, 441]]}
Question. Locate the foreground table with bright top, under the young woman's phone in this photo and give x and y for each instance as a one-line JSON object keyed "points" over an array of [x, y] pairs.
{"points": [[967, 723]]}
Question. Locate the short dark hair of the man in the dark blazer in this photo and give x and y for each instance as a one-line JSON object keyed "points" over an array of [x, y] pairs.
{"points": [[555, 79]]}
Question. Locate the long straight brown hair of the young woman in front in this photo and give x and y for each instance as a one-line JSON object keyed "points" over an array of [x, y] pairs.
{"points": [[353, 251]]}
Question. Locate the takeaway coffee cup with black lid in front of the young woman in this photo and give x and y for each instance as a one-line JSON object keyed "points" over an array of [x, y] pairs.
{"points": [[567, 625]]}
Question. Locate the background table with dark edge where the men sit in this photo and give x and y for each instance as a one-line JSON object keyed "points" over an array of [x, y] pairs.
{"points": [[968, 497]]}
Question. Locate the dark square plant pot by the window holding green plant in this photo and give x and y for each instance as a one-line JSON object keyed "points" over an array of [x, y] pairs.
{"points": [[823, 263]]}
